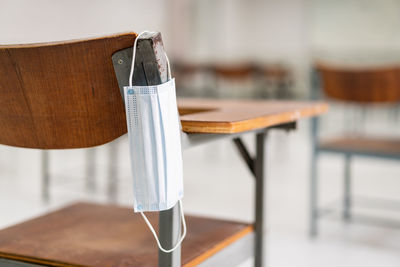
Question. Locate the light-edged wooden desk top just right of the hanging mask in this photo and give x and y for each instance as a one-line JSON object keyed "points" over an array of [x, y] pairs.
{"points": [[234, 116]]}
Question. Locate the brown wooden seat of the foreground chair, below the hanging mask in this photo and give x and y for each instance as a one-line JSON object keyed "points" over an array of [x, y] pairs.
{"points": [[85, 234]]}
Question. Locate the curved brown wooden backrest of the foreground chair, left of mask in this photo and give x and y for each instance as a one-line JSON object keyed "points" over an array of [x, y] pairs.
{"points": [[61, 95]]}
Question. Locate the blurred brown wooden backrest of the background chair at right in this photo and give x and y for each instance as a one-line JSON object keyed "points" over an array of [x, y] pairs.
{"points": [[362, 85]]}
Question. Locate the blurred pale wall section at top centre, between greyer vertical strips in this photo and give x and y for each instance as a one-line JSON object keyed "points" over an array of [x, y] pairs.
{"points": [[255, 29]]}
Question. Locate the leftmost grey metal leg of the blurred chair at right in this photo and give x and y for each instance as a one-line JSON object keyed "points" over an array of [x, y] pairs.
{"points": [[313, 227]]}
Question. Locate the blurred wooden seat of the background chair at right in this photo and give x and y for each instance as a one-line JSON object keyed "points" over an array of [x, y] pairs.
{"points": [[371, 146]]}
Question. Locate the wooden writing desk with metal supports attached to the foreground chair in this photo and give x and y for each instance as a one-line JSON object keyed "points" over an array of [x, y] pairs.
{"points": [[205, 120]]}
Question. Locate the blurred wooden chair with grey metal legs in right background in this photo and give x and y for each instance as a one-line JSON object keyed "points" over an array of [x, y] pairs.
{"points": [[364, 87]]}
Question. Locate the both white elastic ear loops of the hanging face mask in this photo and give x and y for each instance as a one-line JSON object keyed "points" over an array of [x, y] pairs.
{"points": [[180, 202]]}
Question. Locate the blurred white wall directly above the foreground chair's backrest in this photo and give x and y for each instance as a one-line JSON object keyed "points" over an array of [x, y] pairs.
{"points": [[24, 21]]}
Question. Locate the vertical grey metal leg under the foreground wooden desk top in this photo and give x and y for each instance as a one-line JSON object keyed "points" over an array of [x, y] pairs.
{"points": [[260, 174]]}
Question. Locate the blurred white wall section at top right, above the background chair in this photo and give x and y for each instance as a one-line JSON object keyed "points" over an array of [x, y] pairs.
{"points": [[367, 30]]}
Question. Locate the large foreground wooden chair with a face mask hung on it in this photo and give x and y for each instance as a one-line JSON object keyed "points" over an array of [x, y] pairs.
{"points": [[66, 95]]}
